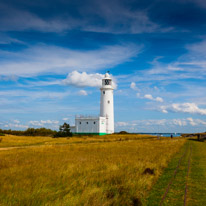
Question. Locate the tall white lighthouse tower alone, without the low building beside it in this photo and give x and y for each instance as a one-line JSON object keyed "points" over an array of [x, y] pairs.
{"points": [[107, 105]]}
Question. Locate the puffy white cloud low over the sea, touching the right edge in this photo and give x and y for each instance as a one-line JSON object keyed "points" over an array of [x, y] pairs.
{"points": [[191, 108]]}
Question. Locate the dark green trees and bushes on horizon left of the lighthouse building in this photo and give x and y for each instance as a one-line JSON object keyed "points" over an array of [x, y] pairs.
{"points": [[64, 131]]}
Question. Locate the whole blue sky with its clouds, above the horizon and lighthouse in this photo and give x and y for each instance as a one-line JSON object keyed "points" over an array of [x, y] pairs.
{"points": [[54, 53]]}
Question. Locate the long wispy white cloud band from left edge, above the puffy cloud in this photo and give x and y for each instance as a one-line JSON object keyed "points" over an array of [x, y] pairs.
{"points": [[44, 59]]}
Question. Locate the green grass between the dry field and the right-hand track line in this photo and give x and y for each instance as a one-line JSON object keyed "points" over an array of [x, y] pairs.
{"points": [[175, 196]]}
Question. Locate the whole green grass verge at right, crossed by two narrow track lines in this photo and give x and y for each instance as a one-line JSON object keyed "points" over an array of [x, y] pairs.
{"points": [[196, 181]]}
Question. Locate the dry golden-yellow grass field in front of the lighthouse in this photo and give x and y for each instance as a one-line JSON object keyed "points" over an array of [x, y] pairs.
{"points": [[106, 172]]}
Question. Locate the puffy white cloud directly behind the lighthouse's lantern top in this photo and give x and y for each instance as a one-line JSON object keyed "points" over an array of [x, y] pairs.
{"points": [[83, 79]]}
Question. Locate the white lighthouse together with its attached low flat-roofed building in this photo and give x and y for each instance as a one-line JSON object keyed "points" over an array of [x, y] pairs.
{"points": [[104, 124]]}
